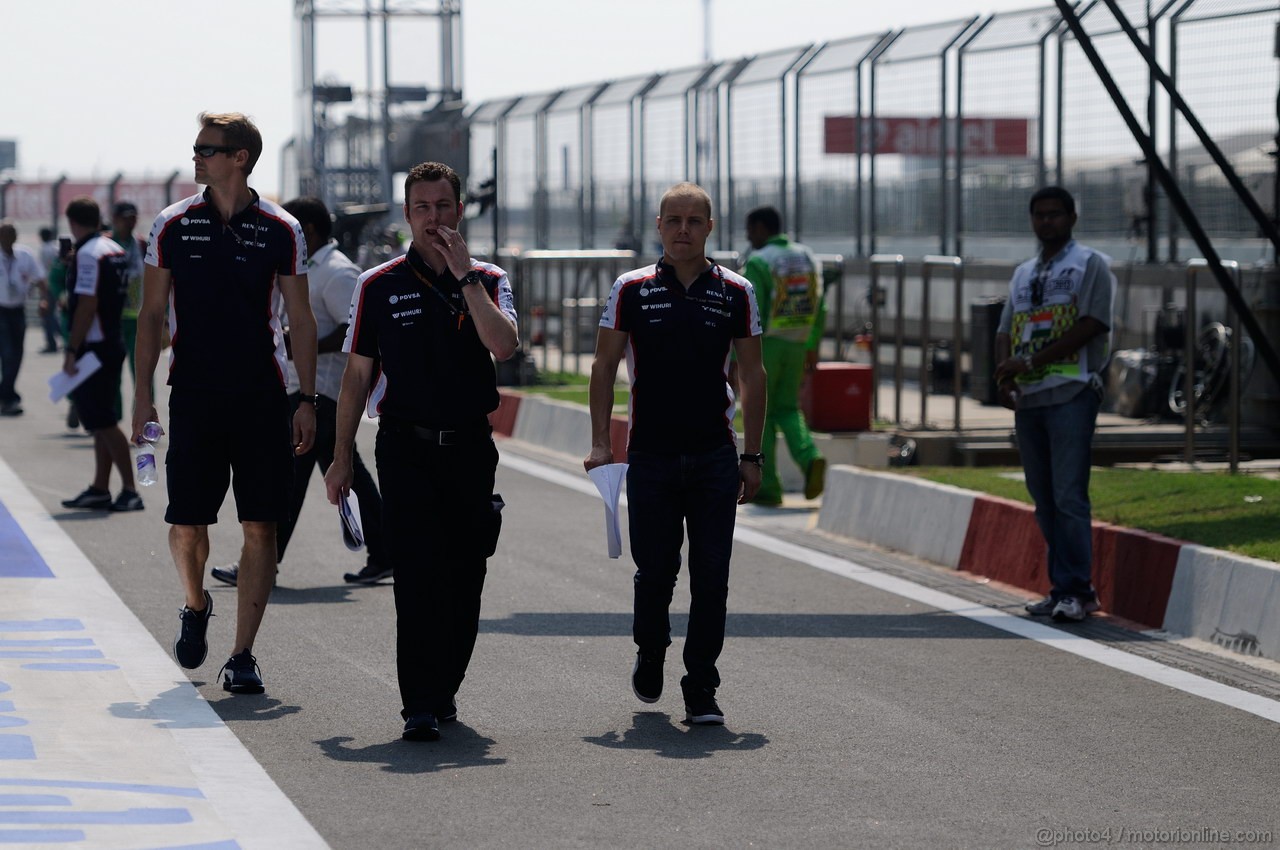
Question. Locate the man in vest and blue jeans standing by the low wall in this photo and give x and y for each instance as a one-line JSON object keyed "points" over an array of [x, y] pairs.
{"points": [[1053, 344]]}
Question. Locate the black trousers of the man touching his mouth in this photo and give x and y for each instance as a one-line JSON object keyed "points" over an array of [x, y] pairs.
{"points": [[440, 529]]}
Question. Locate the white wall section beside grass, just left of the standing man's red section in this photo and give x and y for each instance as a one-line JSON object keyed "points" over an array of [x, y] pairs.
{"points": [[920, 518]]}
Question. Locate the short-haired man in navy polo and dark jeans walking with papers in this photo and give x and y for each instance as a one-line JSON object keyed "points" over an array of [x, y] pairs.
{"points": [[676, 323]]}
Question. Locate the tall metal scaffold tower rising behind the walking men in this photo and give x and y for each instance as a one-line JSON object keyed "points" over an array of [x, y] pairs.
{"points": [[353, 140]]}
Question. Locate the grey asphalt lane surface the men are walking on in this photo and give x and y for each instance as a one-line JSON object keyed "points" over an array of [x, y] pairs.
{"points": [[857, 716]]}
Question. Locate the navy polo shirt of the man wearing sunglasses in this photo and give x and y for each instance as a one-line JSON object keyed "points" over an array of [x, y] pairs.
{"points": [[225, 304]]}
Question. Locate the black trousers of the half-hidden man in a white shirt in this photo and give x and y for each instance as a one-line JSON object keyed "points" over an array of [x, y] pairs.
{"points": [[322, 454]]}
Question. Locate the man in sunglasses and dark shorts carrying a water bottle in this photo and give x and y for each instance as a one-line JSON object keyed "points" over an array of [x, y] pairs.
{"points": [[225, 259]]}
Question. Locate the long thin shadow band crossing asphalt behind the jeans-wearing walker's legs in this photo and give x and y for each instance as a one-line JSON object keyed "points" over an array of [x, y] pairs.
{"points": [[930, 625]]}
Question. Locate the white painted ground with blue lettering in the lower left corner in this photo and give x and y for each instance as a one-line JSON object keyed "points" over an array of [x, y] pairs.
{"points": [[136, 724]]}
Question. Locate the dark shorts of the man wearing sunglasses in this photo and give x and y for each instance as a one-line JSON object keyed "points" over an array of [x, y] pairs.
{"points": [[214, 440]]}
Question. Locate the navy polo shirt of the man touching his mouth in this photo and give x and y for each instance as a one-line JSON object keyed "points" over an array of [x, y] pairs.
{"points": [[432, 368]]}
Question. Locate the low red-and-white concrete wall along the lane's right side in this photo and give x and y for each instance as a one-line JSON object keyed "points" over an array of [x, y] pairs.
{"points": [[1158, 582]]}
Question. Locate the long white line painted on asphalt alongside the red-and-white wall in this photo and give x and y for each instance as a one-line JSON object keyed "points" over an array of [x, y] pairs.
{"points": [[1031, 630]]}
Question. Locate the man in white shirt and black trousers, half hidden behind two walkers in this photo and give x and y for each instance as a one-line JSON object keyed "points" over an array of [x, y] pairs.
{"points": [[332, 281]]}
